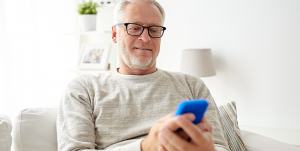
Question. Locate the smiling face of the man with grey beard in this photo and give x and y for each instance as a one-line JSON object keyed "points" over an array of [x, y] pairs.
{"points": [[139, 52]]}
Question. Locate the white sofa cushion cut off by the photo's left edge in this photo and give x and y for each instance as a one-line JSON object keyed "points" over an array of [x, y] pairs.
{"points": [[5, 130]]}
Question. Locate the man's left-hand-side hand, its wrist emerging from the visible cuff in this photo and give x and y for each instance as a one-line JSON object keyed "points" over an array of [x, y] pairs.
{"points": [[151, 142]]}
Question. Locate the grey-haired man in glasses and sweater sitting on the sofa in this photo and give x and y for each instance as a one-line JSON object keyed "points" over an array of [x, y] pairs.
{"points": [[130, 108]]}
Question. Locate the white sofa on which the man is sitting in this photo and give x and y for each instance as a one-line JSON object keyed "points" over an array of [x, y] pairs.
{"points": [[34, 130]]}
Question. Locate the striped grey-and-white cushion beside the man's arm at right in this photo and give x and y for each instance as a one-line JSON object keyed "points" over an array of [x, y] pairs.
{"points": [[232, 131]]}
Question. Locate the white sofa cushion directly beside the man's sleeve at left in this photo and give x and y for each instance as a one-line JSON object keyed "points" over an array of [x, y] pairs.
{"points": [[35, 130]]}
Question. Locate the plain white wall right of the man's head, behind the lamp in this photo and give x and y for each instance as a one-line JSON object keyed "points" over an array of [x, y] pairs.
{"points": [[256, 47]]}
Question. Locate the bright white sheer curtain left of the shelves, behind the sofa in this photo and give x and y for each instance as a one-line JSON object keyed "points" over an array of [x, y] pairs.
{"points": [[35, 53]]}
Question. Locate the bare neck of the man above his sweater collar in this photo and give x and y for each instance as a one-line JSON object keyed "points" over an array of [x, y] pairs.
{"points": [[128, 71]]}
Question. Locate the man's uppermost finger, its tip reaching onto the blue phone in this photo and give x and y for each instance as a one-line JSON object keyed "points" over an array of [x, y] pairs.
{"points": [[171, 123]]}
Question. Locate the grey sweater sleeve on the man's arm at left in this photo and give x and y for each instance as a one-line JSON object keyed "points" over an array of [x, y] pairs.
{"points": [[75, 121]]}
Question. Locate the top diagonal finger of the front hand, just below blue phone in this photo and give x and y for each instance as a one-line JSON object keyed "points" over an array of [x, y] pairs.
{"points": [[191, 129]]}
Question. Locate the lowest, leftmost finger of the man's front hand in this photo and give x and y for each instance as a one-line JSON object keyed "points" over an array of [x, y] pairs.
{"points": [[172, 142]]}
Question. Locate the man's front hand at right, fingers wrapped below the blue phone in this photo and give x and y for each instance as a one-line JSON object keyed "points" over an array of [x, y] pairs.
{"points": [[200, 134]]}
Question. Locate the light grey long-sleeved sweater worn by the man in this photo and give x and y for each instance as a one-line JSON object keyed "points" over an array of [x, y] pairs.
{"points": [[114, 112]]}
